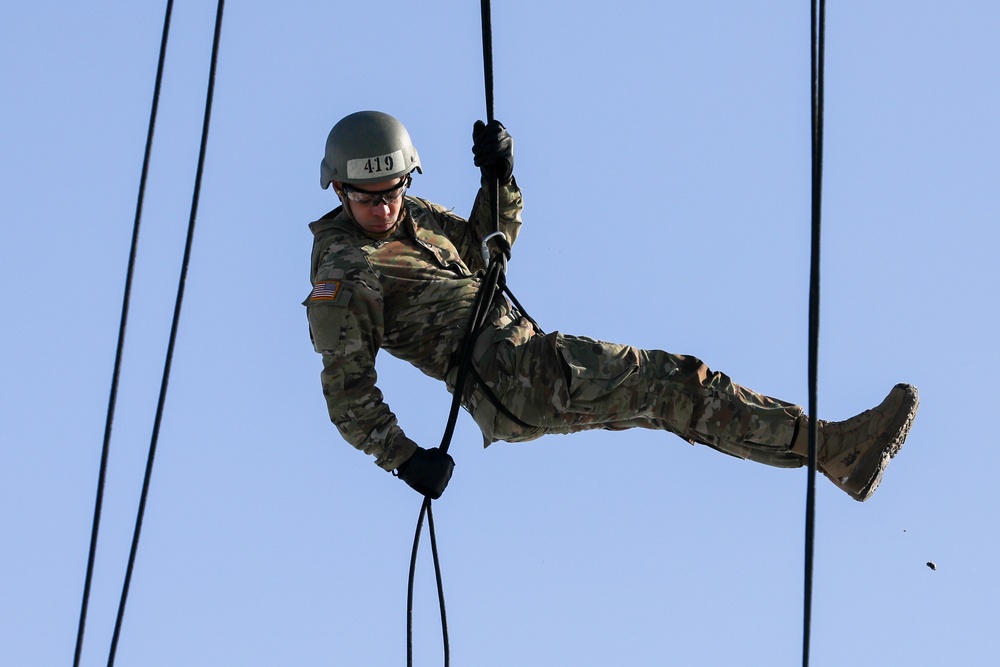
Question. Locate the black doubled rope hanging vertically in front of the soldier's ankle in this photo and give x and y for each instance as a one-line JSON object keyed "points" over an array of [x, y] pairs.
{"points": [[818, 39]]}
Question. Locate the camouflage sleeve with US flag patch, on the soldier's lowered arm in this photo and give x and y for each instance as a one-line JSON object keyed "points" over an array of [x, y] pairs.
{"points": [[345, 322]]}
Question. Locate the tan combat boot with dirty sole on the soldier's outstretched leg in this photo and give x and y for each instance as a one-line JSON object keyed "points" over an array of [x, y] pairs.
{"points": [[854, 453]]}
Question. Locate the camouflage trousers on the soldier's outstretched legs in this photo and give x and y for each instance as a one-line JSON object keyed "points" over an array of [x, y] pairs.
{"points": [[557, 383]]}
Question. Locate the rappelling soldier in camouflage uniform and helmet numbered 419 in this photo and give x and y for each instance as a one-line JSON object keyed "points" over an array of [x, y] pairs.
{"points": [[398, 272]]}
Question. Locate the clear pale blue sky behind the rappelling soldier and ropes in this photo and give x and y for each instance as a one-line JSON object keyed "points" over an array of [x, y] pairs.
{"points": [[663, 149]]}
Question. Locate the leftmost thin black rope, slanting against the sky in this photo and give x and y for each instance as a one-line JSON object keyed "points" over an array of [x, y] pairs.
{"points": [[116, 373]]}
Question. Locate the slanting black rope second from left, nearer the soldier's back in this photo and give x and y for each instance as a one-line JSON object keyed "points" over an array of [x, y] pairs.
{"points": [[173, 334]]}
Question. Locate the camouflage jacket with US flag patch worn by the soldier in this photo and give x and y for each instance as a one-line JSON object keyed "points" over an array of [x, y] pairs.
{"points": [[410, 294]]}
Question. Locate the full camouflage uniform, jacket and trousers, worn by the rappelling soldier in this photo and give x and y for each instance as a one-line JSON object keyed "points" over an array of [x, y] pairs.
{"points": [[412, 294]]}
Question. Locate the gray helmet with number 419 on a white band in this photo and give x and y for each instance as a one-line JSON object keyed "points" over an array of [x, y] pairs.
{"points": [[367, 146]]}
